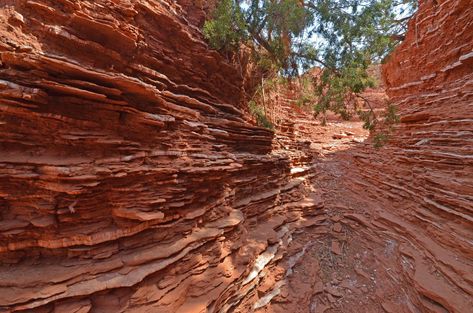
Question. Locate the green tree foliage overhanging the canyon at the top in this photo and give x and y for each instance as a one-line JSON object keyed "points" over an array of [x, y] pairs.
{"points": [[342, 37]]}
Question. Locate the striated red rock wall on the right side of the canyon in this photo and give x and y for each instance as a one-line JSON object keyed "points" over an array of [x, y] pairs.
{"points": [[421, 183]]}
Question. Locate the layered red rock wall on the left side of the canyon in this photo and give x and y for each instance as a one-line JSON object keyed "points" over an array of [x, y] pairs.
{"points": [[131, 180]]}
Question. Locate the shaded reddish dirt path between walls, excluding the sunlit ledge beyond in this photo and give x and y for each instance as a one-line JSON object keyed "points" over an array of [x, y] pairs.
{"points": [[345, 267]]}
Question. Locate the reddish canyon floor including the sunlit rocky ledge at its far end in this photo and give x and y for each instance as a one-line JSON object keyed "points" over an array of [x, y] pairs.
{"points": [[337, 264]]}
